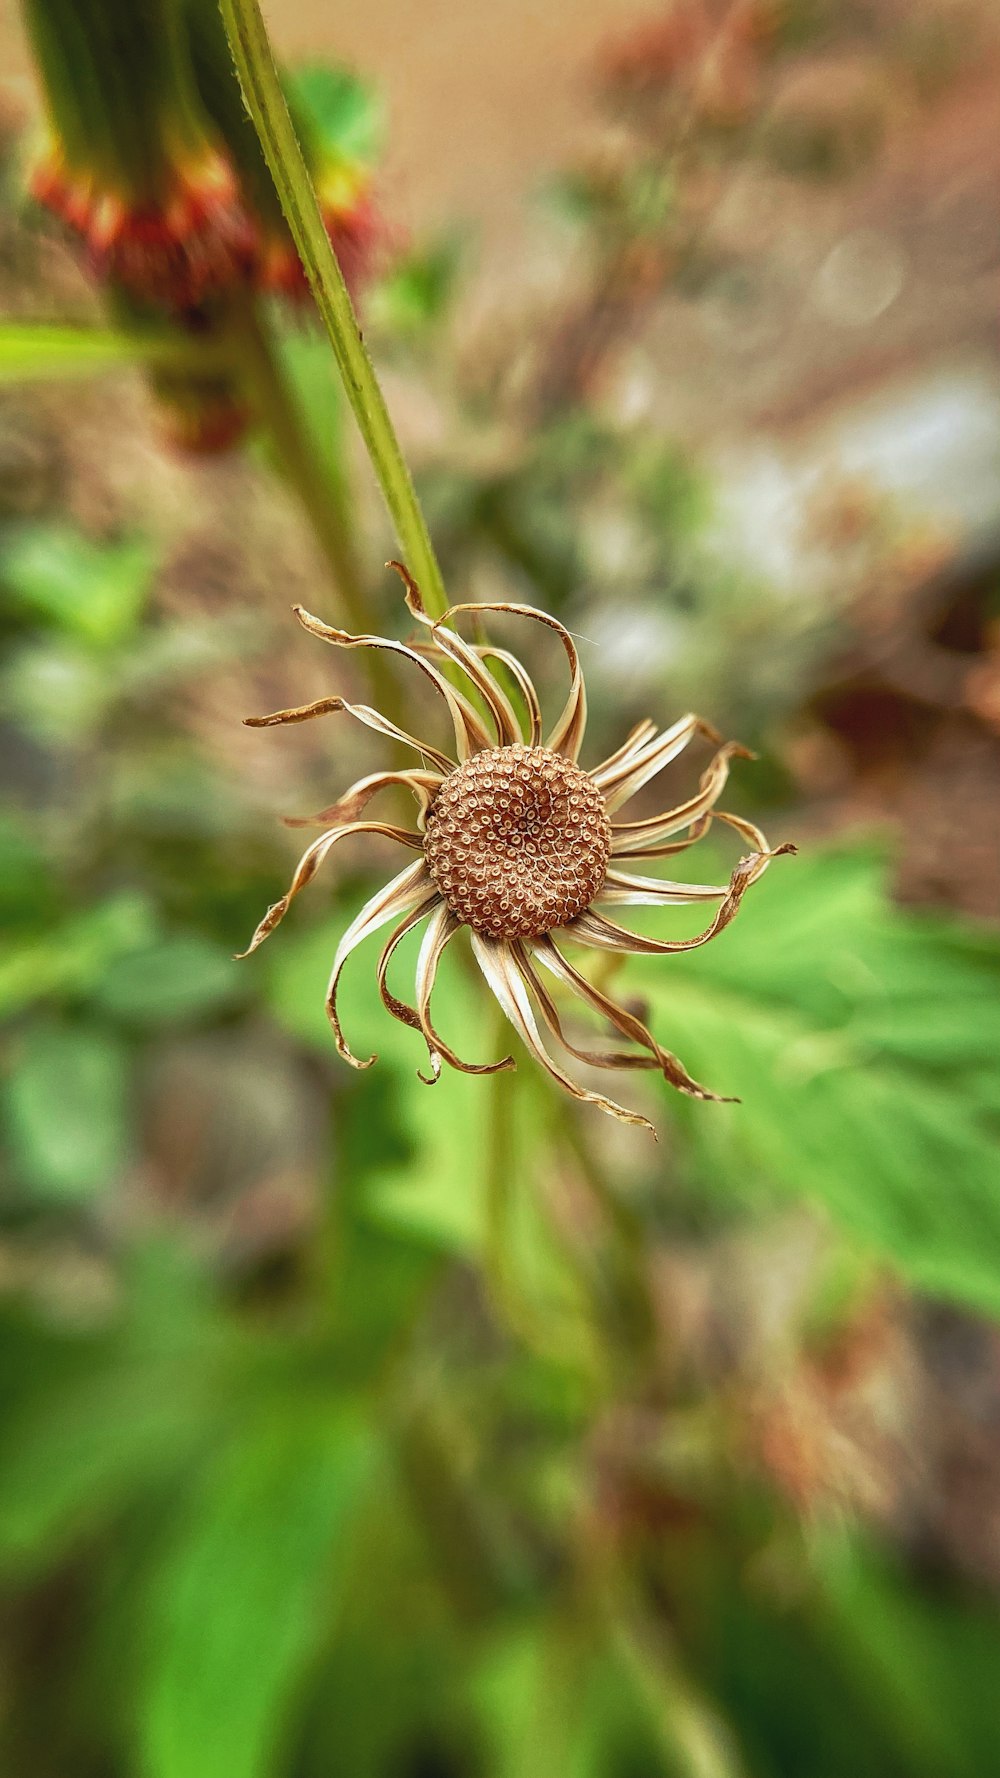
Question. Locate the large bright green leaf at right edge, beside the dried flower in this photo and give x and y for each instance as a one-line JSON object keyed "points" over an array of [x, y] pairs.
{"points": [[859, 1039]]}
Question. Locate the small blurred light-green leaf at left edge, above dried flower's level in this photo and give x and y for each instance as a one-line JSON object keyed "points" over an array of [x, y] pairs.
{"points": [[92, 591]]}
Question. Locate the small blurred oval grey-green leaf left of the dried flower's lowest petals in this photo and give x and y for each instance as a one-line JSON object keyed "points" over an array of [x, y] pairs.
{"points": [[170, 982]]}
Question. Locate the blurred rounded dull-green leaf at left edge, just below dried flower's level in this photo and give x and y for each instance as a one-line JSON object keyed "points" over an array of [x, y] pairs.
{"points": [[69, 1112]]}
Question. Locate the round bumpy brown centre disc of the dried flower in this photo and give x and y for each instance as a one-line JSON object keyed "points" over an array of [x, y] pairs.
{"points": [[519, 842]]}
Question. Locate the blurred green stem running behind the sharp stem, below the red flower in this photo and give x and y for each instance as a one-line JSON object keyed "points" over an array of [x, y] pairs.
{"points": [[321, 488]]}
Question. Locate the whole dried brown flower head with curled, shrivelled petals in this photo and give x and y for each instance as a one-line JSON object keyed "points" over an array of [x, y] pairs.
{"points": [[520, 845]]}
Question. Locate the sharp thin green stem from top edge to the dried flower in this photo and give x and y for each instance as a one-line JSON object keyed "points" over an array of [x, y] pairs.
{"points": [[266, 104]]}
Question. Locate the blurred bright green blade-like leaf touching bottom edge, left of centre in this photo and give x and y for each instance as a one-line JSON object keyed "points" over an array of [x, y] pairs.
{"points": [[250, 1585]]}
